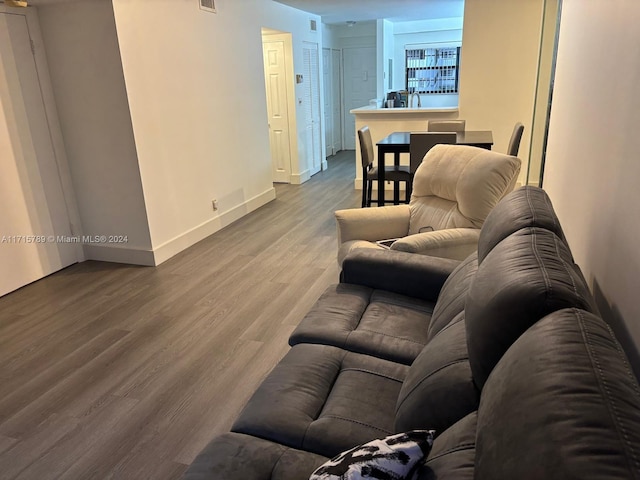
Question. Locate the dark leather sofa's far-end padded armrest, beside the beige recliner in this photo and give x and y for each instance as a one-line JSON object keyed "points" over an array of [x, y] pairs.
{"points": [[418, 276]]}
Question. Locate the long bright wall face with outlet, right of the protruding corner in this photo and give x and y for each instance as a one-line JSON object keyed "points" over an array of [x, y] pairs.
{"points": [[198, 109]]}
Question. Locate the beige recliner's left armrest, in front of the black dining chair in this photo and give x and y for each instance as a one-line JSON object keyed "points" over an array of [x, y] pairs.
{"points": [[372, 223]]}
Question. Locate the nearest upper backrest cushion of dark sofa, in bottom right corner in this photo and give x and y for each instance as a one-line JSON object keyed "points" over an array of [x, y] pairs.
{"points": [[562, 403]]}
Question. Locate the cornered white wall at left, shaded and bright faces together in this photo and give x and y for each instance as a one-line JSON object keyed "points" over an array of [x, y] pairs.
{"points": [[159, 125]]}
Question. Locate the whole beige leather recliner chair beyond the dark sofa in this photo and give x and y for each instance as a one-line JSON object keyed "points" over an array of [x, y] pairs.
{"points": [[454, 189]]}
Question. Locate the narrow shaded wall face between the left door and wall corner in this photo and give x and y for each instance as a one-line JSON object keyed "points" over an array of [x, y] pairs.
{"points": [[84, 63]]}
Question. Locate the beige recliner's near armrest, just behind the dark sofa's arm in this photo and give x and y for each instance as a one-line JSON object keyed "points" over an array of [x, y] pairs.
{"points": [[456, 243]]}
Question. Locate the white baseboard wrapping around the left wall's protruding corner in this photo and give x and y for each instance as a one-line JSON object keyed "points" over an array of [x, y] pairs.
{"points": [[164, 252]]}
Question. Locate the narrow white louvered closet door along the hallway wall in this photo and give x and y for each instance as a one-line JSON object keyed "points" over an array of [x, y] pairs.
{"points": [[311, 104]]}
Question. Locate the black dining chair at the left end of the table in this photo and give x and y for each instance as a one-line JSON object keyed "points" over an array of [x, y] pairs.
{"points": [[370, 171]]}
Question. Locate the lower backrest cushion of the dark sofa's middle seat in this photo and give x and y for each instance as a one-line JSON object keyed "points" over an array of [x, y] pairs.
{"points": [[438, 390]]}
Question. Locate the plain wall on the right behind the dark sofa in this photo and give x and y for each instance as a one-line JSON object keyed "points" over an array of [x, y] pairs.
{"points": [[593, 166]]}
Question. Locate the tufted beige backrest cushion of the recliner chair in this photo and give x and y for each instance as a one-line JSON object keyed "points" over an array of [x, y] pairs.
{"points": [[457, 186]]}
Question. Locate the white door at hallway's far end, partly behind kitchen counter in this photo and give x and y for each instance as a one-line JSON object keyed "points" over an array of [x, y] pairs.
{"points": [[359, 87]]}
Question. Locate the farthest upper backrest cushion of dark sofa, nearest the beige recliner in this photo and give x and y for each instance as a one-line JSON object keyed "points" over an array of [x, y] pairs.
{"points": [[524, 207]]}
